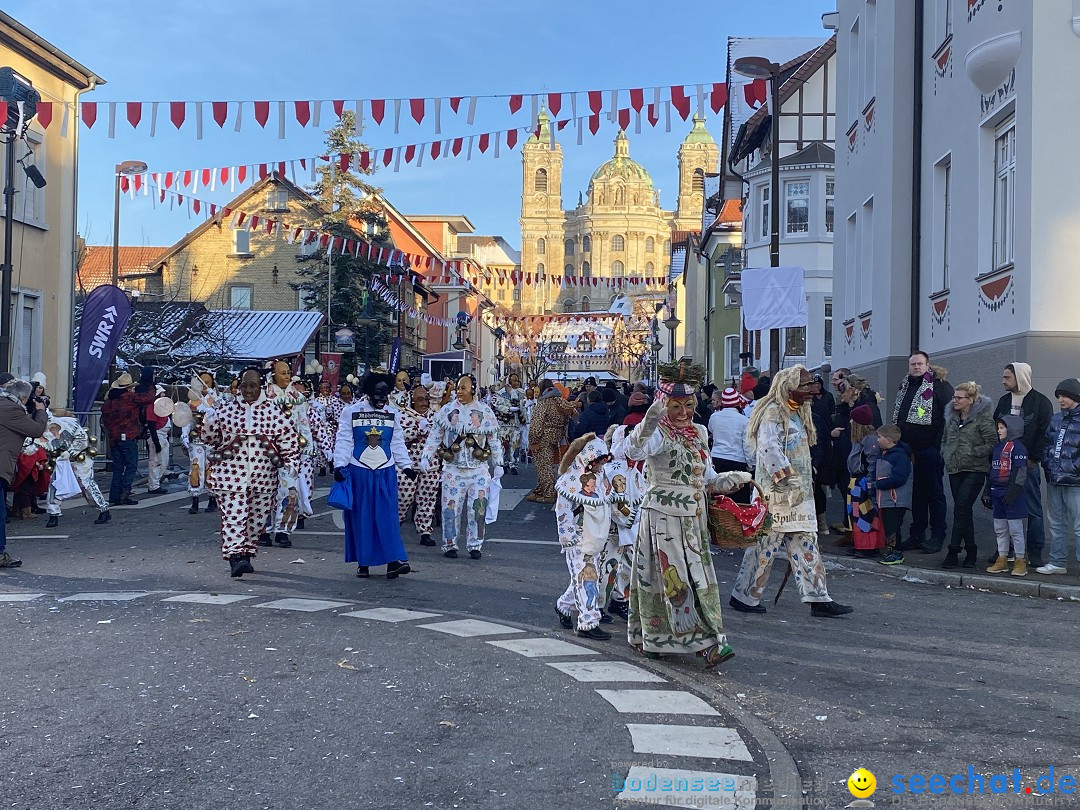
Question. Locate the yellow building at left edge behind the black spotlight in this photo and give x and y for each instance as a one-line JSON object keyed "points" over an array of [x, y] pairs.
{"points": [[44, 220]]}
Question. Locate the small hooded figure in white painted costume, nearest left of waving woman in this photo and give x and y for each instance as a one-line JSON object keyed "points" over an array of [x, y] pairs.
{"points": [[584, 515]]}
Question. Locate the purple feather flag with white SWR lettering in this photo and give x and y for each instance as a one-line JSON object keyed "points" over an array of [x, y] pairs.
{"points": [[105, 315]]}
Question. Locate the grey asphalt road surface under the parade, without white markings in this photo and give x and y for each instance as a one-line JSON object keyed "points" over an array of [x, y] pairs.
{"points": [[922, 680]]}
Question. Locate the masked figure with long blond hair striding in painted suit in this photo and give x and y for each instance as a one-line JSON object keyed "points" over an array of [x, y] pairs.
{"points": [[781, 430]]}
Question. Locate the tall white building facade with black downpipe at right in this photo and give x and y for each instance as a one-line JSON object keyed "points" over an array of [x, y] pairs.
{"points": [[952, 237]]}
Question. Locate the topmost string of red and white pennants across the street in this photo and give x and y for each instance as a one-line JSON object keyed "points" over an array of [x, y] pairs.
{"points": [[396, 112]]}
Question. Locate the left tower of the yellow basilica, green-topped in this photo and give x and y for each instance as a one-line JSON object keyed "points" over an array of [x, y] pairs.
{"points": [[543, 218]]}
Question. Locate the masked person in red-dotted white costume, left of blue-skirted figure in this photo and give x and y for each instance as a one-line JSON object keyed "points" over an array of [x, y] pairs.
{"points": [[252, 448]]}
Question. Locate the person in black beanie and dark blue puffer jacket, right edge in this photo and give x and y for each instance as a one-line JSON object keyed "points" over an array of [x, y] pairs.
{"points": [[1062, 465]]}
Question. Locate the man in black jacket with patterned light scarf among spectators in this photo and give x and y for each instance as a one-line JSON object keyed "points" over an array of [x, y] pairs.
{"points": [[920, 412]]}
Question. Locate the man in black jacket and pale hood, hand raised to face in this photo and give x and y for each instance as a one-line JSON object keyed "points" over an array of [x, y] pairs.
{"points": [[1036, 411]]}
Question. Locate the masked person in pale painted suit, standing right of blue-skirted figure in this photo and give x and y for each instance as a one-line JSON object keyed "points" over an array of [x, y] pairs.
{"points": [[466, 437]]}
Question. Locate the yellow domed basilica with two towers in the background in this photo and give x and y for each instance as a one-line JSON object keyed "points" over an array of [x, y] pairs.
{"points": [[618, 229]]}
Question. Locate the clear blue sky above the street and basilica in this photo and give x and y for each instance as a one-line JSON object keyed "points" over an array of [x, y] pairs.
{"points": [[320, 50]]}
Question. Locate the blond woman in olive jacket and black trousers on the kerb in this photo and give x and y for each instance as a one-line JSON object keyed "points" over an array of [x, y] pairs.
{"points": [[969, 441]]}
